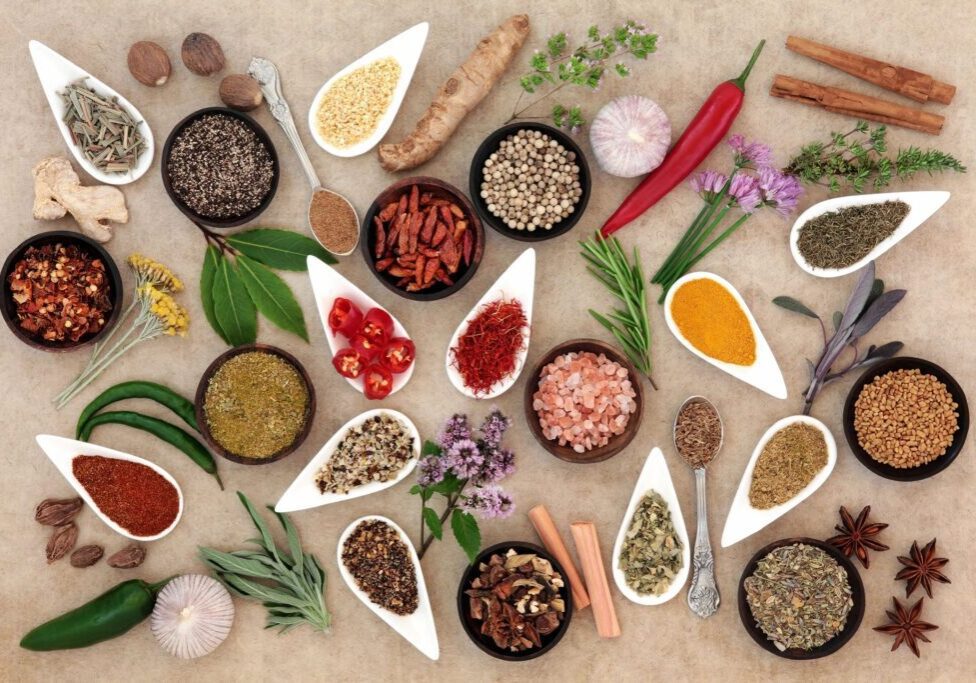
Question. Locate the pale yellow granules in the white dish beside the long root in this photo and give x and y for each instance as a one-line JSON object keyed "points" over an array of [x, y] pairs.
{"points": [[352, 108]]}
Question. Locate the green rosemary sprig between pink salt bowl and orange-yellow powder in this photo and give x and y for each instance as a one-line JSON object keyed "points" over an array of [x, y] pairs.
{"points": [[630, 324]]}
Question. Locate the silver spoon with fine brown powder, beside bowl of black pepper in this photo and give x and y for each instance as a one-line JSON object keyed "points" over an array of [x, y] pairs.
{"points": [[331, 217]]}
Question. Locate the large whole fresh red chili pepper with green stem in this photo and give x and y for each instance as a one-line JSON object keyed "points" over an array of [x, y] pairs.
{"points": [[706, 130]]}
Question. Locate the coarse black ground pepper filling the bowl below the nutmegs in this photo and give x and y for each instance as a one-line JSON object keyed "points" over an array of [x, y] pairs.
{"points": [[219, 167]]}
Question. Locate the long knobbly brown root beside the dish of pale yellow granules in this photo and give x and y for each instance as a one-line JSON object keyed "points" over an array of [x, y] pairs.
{"points": [[467, 86]]}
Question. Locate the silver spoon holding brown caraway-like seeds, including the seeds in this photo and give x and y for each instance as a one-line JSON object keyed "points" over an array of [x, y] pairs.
{"points": [[698, 435]]}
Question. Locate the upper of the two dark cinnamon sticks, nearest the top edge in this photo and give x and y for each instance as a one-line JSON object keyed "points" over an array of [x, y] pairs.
{"points": [[908, 82]]}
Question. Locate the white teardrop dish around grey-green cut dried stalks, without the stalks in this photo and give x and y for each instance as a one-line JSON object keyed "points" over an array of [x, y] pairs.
{"points": [[55, 72]]}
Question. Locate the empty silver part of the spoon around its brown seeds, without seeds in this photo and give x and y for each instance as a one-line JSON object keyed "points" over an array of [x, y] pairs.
{"points": [[703, 597]]}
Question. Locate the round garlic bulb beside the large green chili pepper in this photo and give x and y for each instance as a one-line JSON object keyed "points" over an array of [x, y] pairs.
{"points": [[192, 616]]}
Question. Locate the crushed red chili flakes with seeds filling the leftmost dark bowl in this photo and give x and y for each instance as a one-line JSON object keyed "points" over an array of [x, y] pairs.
{"points": [[61, 292]]}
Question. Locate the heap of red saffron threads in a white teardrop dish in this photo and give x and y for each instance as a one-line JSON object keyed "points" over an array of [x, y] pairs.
{"points": [[487, 351]]}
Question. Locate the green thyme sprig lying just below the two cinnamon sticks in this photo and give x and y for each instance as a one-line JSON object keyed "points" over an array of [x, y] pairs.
{"points": [[859, 157]]}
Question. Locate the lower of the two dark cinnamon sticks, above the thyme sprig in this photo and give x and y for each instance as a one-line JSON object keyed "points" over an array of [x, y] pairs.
{"points": [[855, 104]]}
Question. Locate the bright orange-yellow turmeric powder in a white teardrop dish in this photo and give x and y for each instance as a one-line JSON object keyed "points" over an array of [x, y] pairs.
{"points": [[711, 319]]}
